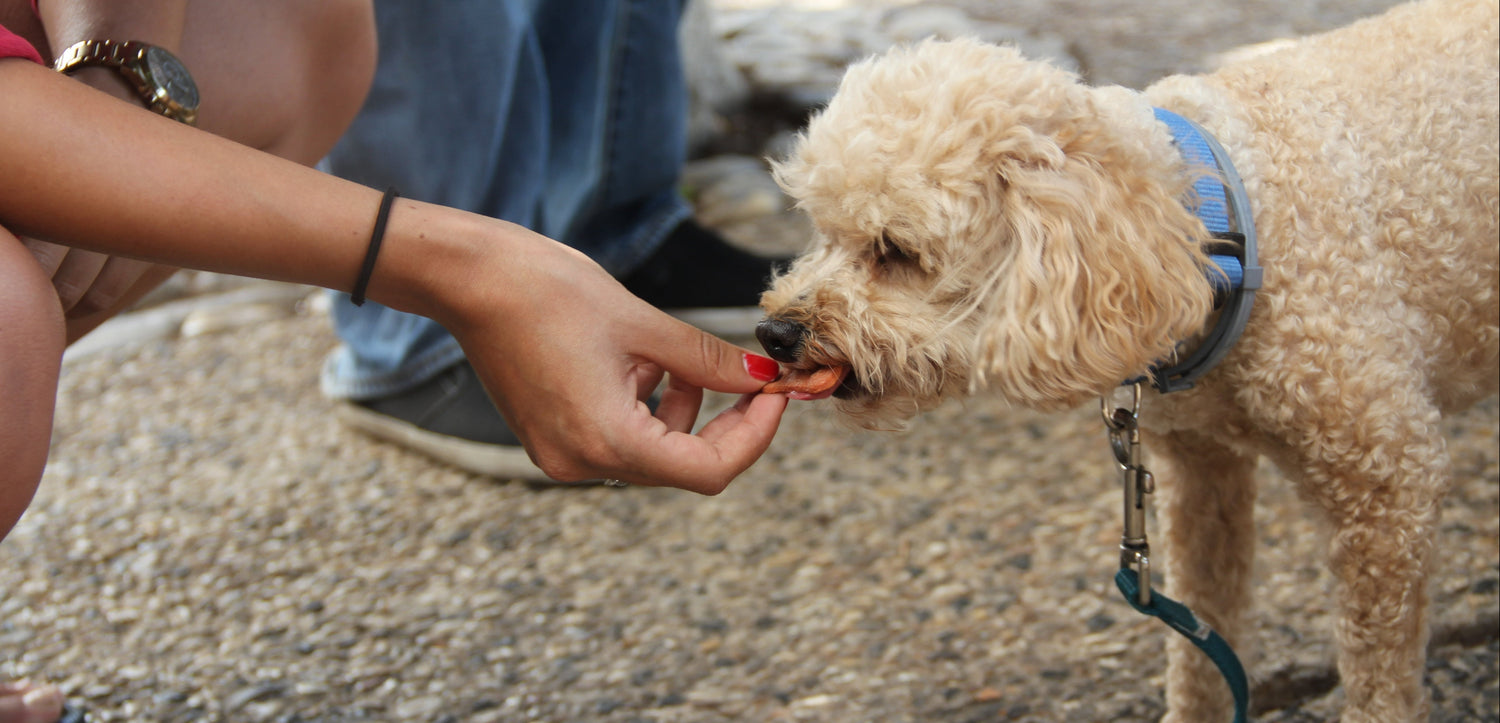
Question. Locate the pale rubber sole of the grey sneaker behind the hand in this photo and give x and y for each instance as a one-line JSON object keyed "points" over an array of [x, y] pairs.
{"points": [[478, 458]]}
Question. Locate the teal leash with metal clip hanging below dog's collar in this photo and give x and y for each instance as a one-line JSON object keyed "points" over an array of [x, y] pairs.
{"points": [[1135, 575]]}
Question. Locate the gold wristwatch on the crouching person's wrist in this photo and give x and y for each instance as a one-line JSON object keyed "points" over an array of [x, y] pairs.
{"points": [[154, 73]]}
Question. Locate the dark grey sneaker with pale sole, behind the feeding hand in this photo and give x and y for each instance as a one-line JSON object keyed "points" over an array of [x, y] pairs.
{"points": [[451, 419]]}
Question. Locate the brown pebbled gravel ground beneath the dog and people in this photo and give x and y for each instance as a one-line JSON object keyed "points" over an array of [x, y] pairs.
{"points": [[211, 545]]}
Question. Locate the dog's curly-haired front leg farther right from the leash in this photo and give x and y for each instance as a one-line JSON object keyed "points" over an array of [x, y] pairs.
{"points": [[1381, 484]]}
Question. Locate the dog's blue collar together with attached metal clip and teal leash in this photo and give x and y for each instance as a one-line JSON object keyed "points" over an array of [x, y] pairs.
{"points": [[1225, 209]]}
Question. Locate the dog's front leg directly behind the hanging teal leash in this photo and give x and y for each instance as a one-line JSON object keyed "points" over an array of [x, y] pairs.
{"points": [[1207, 502]]}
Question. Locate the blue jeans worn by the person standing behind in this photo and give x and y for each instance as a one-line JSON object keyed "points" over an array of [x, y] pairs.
{"points": [[565, 116]]}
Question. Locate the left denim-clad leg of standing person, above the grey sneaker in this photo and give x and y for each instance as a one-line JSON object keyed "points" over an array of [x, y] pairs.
{"points": [[461, 86]]}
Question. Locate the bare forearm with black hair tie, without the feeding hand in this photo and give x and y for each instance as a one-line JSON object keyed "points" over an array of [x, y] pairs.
{"points": [[110, 178]]}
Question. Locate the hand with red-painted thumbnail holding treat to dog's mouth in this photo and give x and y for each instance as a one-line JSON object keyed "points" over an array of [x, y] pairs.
{"points": [[571, 358]]}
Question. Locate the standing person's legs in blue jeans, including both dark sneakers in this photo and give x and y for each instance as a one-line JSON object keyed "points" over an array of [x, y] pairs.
{"points": [[577, 130]]}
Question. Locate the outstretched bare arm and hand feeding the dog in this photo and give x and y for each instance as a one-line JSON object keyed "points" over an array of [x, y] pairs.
{"points": [[566, 352]]}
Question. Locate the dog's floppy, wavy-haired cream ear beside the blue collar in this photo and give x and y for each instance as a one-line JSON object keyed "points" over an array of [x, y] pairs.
{"points": [[1100, 274]]}
